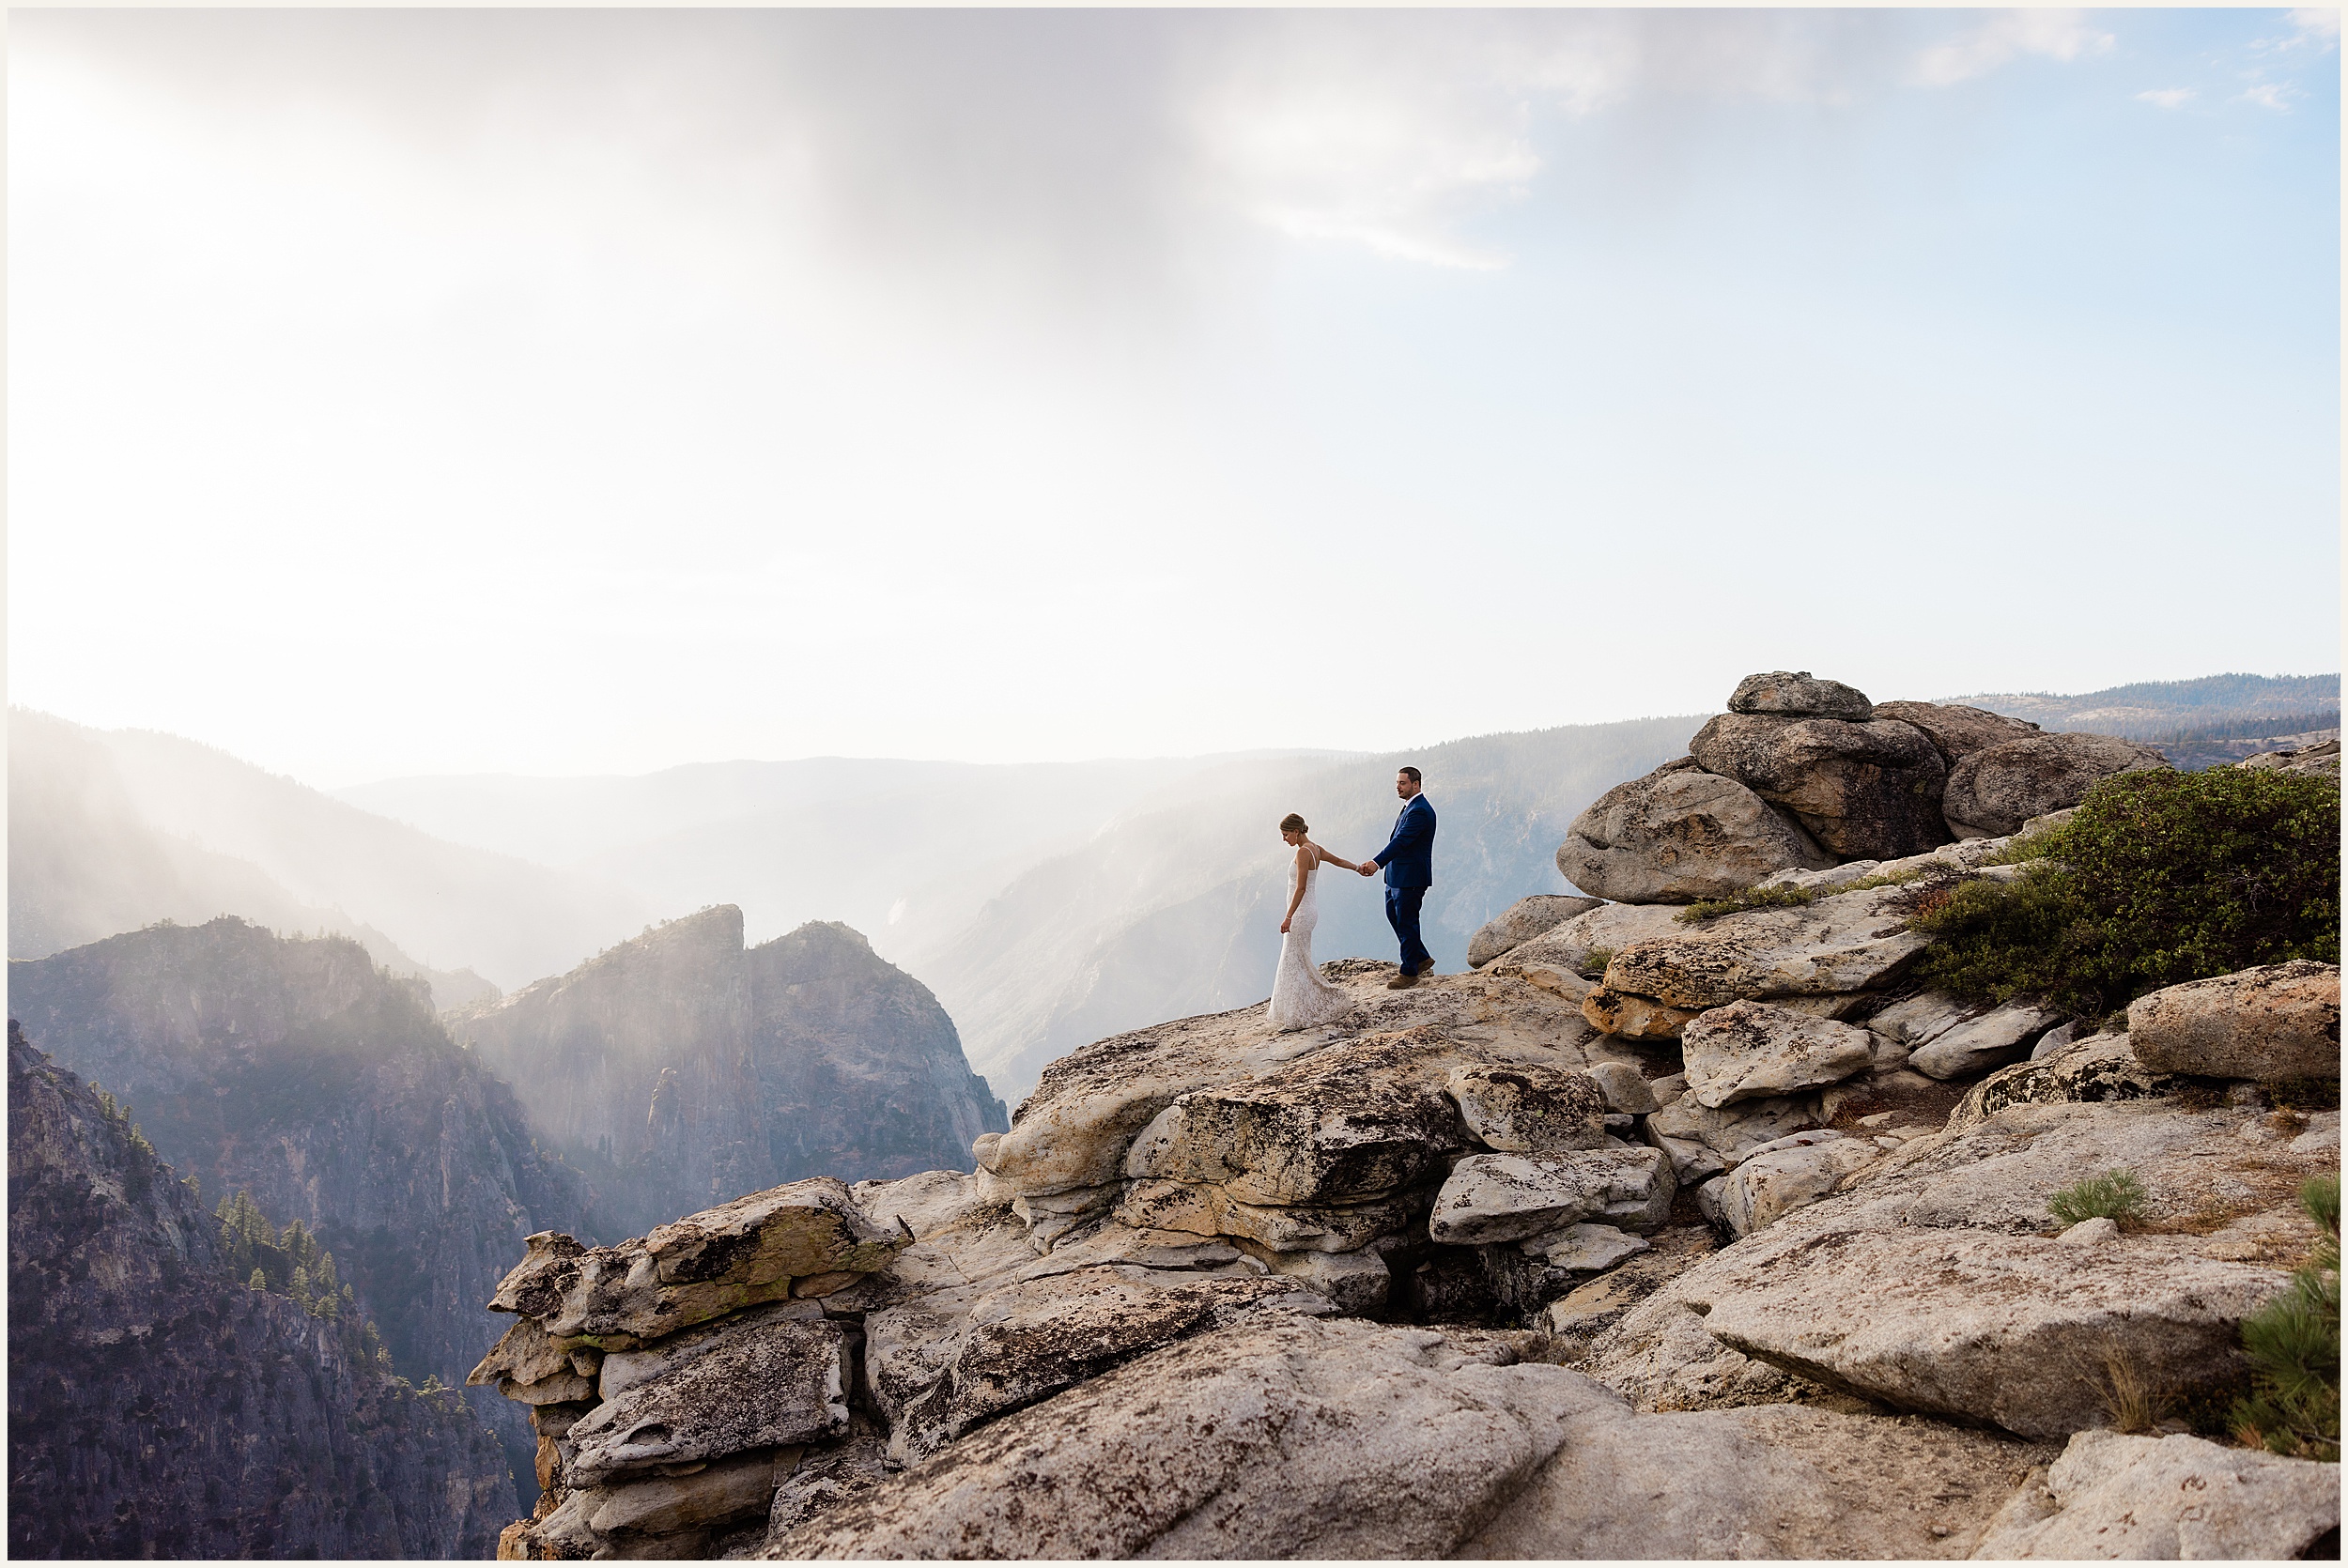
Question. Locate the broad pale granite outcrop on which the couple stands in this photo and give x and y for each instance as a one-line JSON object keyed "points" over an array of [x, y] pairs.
{"points": [[1671, 1231]]}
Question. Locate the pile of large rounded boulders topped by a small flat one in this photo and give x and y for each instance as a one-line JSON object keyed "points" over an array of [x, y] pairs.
{"points": [[1804, 773]]}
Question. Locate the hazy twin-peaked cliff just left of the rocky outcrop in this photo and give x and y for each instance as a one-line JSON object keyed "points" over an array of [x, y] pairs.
{"points": [[684, 1069]]}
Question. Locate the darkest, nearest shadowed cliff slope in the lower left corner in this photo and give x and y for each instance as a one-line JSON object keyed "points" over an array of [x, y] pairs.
{"points": [[163, 1410]]}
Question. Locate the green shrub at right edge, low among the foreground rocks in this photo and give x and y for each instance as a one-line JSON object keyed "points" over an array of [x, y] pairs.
{"points": [[2295, 1349]]}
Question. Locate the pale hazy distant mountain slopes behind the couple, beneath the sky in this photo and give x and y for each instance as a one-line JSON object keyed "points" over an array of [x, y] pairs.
{"points": [[1044, 905]]}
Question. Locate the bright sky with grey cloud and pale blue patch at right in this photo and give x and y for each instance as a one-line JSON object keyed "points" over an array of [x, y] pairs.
{"points": [[562, 393]]}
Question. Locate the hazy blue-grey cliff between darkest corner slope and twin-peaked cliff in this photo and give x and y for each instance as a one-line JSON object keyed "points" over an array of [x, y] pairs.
{"points": [[330, 1093]]}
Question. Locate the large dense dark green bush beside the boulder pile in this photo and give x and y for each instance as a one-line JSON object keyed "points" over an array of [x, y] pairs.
{"points": [[2157, 879]]}
